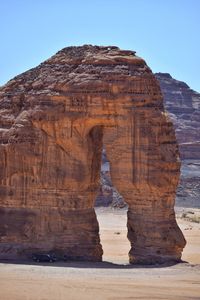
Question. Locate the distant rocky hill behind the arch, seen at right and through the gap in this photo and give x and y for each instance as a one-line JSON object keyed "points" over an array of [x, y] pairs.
{"points": [[183, 106]]}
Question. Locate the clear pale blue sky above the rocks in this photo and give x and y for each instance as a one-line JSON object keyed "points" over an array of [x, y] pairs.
{"points": [[166, 33]]}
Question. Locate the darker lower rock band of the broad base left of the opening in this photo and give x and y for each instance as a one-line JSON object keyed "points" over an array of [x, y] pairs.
{"points": [[70, 233]]}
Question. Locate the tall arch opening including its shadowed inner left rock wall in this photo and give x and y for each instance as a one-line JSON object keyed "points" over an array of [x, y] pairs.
{"points": [[112, 224]]}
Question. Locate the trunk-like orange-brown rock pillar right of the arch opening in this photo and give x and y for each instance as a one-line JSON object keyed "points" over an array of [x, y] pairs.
{"points": [[145, 170]]}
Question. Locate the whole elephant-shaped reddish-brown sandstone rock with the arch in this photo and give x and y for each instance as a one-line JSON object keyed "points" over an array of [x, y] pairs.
{"points": [[55, 119]]}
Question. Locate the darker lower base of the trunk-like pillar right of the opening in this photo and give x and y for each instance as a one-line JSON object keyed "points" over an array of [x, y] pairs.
{"points": [[154, 235]]}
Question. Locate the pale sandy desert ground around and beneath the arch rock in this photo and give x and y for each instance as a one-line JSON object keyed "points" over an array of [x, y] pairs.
{"points": [[113, 279]]}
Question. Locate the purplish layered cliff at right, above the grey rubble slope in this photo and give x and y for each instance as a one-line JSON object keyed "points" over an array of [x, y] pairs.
{"points": [[183, 105]]}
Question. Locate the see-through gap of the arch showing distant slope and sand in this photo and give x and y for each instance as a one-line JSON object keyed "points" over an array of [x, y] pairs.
{"points": [[111, 211]]}
